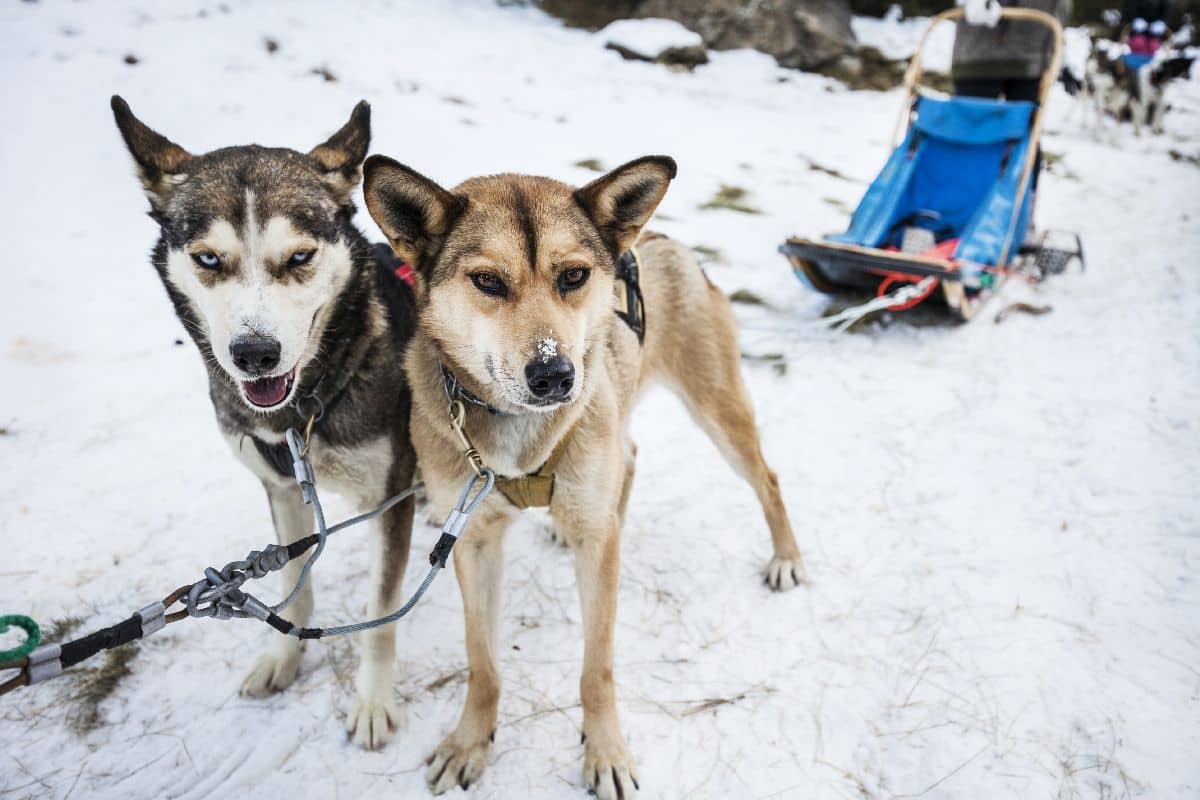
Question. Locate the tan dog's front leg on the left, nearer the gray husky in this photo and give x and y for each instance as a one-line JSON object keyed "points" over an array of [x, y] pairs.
{"points": [[479, 566]]}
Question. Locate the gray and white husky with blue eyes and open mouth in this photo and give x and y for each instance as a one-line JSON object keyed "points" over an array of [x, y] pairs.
{"points": [[297, 318]]}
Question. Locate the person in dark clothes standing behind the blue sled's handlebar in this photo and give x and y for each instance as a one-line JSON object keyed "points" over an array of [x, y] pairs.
{"points": [[1005, 59]]}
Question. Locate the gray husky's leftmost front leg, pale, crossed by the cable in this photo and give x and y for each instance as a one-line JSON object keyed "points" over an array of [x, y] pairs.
{"points": [[277, 669]]}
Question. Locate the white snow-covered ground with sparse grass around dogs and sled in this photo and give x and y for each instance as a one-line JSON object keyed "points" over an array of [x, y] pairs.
{"points": [[1001, 521]]}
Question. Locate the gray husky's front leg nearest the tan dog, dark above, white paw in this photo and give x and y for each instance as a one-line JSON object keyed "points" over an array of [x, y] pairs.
{"points": [[376, 718]]}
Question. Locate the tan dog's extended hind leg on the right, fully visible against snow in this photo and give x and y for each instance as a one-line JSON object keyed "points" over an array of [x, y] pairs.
{"points": [[710, 382]]}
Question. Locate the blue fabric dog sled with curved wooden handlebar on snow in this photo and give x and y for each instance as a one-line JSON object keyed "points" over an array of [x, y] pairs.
{"points": [[952, 204]]}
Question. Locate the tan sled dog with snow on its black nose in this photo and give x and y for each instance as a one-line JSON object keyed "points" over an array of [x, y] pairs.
{"points": [[517, 286]]}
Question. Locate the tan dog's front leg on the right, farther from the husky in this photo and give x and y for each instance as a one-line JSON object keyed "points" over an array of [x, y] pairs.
{"points": [[609, 768]]}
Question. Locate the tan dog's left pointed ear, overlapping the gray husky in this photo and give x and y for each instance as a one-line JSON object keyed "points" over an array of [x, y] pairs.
{"points": [[413, 212]]}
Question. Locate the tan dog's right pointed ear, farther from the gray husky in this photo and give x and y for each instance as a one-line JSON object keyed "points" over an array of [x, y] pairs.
{"points": [[623, 201]]}
